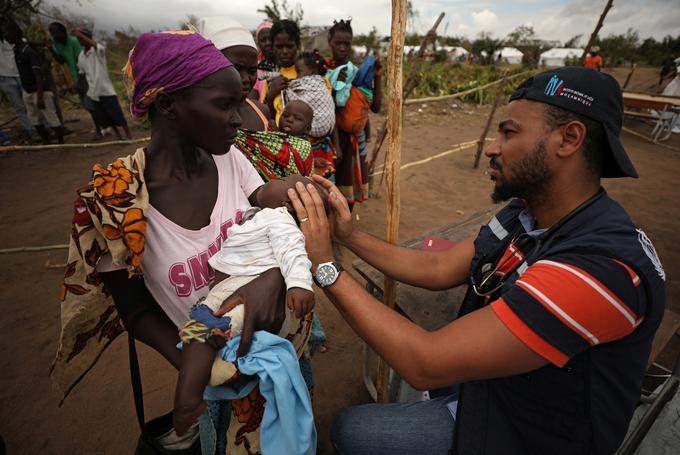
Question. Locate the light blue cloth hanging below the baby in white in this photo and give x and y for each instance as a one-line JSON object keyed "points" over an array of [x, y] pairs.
{"points": [[288, 422]]}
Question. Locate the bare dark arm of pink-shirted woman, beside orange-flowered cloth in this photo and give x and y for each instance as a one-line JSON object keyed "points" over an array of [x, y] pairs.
{"points": [[141, 314]]}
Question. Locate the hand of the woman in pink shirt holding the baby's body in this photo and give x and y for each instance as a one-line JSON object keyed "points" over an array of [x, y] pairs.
{"points": [[264, 305]]}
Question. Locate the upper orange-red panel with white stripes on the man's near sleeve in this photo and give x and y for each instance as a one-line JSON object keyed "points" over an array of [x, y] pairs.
{"points": [[579, 300]]}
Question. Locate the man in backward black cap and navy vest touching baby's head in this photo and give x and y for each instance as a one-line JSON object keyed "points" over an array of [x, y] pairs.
{"points": [[565, 293]]}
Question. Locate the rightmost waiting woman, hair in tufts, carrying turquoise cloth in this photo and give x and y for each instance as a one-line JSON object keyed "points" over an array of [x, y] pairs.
{"points": [[351, 174]]}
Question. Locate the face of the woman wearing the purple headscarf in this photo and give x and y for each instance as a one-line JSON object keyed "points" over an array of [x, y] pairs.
{"points": [[206, 114]]}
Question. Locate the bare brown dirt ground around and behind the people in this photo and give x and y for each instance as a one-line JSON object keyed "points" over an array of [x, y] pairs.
{"points": [[37, 189]]}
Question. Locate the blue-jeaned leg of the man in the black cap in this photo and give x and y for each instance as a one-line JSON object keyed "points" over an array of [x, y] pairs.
{"points": [[423, 427]]}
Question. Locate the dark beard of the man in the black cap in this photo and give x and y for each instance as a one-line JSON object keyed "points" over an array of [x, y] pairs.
{"points": [[530, 178]]}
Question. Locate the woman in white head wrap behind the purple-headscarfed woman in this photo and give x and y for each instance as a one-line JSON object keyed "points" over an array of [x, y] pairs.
{"points": [[238, 45]]}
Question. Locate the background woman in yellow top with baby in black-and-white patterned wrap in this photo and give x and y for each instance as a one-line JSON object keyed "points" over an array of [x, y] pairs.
{"points": [[285, 40]]}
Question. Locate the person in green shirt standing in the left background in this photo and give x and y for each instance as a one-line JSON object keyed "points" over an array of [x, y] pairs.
{"points": [[66, 49]]}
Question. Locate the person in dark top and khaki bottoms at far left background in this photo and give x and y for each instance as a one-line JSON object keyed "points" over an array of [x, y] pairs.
{"points": [[37, 88]]}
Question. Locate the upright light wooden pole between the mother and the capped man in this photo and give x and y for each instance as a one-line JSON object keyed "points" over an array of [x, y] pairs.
{"points": [[395, 63]]}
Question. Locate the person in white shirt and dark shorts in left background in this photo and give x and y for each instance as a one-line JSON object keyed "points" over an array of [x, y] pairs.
{"points": [[92, 66]]}
